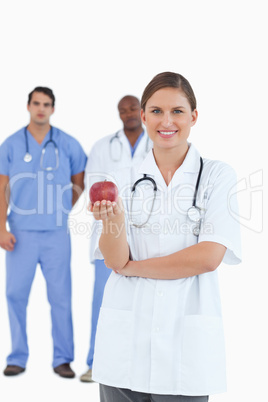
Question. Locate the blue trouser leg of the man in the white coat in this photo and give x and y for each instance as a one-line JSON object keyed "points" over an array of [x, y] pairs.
{"points": [[102, 274]]}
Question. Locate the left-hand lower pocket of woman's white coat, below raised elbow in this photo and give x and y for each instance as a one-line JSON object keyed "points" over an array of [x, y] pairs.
{"points": [[112, 346]]}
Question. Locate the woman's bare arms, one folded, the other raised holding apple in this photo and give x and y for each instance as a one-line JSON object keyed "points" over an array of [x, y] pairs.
{"points": [[194, 260]]}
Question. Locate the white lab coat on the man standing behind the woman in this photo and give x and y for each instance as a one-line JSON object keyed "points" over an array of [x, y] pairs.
{"points": [[107, 160]]}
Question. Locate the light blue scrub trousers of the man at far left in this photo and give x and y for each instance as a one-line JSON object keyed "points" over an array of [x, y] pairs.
{"points": [[52, 250]]}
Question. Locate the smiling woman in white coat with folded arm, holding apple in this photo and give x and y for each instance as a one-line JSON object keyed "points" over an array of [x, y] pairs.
{"points": [[160, 335]]}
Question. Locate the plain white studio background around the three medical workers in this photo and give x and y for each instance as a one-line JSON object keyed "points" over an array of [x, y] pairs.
{"points": [[93, 53]]}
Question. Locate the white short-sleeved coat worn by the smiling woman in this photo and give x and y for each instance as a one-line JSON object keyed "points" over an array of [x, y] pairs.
{"points": [[166, 336]]}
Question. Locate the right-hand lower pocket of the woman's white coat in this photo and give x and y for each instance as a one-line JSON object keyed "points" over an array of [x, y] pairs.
{"points": [[203, 355]]}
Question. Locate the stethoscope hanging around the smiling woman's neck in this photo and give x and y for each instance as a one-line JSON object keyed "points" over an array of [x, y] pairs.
{"points": [[193, 213]]}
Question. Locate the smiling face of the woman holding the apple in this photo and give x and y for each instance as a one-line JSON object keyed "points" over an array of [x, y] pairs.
{"points": [[168, 118]]}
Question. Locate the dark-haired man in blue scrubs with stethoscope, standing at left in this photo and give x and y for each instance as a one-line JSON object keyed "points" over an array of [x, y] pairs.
{"points": [[41, 178]]}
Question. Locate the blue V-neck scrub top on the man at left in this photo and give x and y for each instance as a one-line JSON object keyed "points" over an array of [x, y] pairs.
{"points": [[40, 199]]}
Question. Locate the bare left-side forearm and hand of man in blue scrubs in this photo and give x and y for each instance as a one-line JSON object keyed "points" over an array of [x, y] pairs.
{"points": [[7, 239]]}
